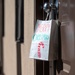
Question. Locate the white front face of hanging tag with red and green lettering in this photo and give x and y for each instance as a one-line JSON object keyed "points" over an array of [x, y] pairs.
{"points": [[41, 40]]}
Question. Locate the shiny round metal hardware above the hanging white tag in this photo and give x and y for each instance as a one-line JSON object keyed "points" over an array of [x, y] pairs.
{"points": [[52, 7]]}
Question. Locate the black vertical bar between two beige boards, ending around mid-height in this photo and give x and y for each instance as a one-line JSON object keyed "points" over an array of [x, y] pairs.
{"points": [[19, 21]]}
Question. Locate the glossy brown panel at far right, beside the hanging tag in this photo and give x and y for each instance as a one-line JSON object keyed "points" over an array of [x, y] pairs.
{"points": [[67, 18]]}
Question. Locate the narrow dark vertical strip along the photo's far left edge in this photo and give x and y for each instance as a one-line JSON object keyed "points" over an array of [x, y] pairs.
{"points": [[1, 35]]}
